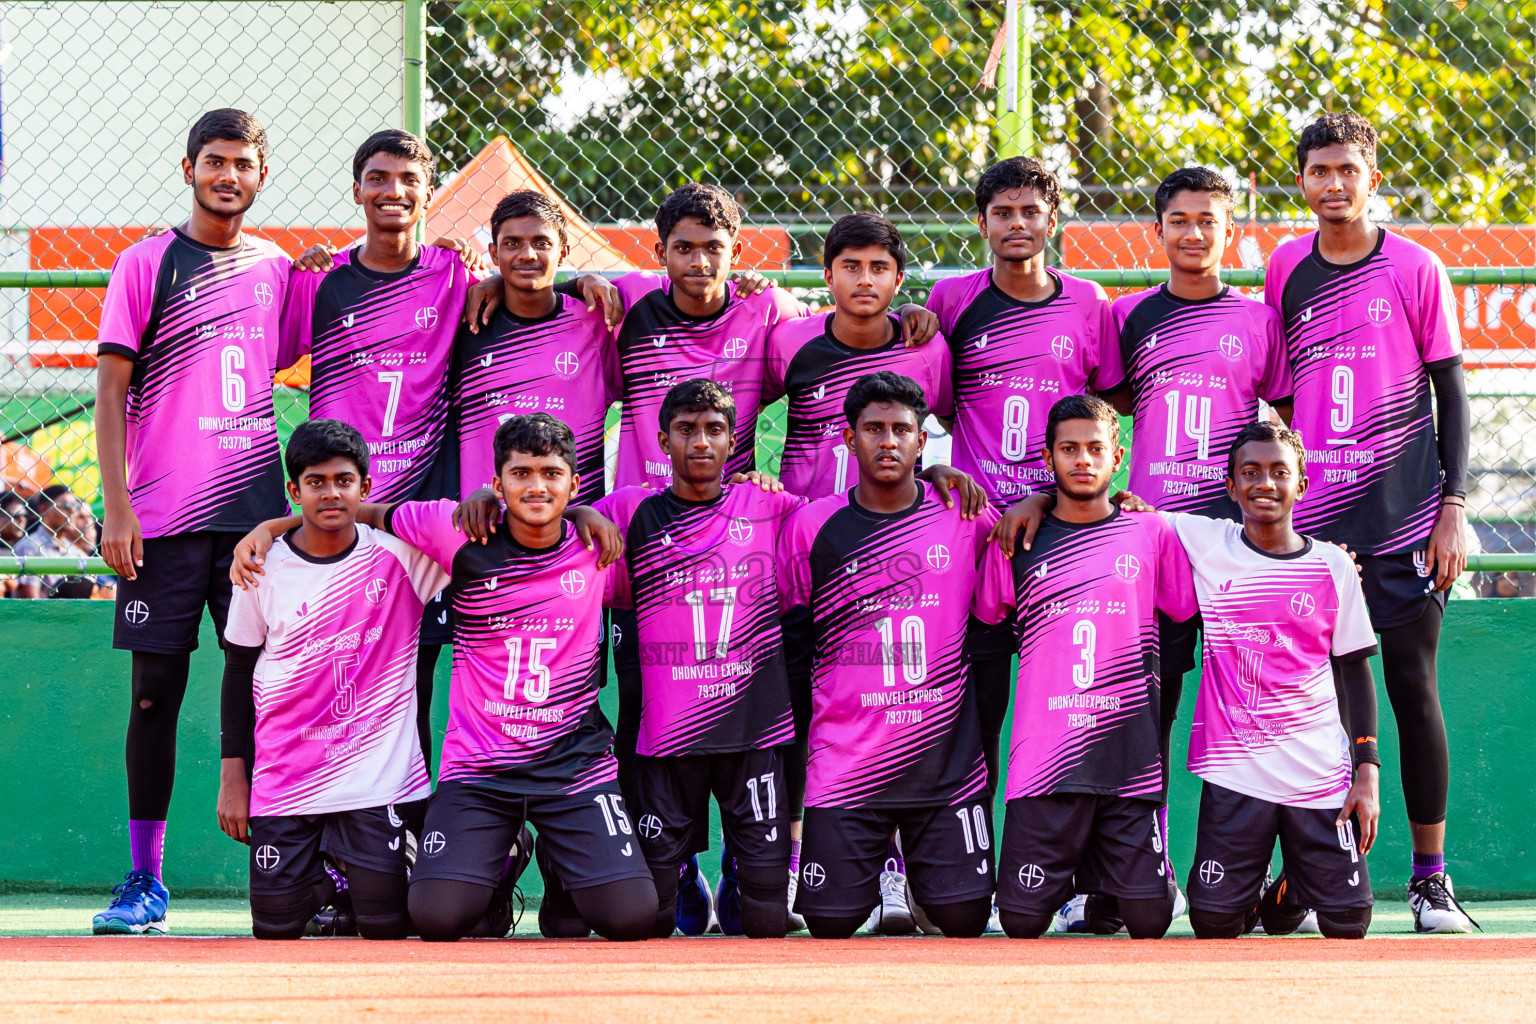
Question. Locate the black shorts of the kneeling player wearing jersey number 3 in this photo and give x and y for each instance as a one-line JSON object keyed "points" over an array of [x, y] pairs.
{"points": [[1074, 842]]}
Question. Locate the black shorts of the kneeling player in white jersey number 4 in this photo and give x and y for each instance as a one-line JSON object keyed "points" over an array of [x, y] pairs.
{"points": [[1236, 842]]}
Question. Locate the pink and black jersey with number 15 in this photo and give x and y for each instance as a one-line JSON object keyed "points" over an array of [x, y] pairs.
{"points": [[528, 633]]}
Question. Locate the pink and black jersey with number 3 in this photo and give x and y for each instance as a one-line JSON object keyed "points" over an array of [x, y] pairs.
{"points": [[1087, 704]]}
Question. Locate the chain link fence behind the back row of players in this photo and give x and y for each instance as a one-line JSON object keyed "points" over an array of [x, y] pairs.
{"points": [[806, 110]]}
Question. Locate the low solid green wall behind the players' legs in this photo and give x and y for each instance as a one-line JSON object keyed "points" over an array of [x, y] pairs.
{"points": [[62, 818]]}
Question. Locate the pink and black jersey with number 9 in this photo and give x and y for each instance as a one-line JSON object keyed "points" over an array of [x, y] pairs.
{"points": [[1362, 340]]}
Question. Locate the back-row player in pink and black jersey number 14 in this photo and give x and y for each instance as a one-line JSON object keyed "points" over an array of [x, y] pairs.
{"points": [[1199, 358]]}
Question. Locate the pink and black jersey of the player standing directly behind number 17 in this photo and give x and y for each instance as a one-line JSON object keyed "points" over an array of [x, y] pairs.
{"points": [[661, 348]]}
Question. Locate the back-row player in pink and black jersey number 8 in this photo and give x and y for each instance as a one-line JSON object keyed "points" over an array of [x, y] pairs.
{"points": [[1021, 337]]}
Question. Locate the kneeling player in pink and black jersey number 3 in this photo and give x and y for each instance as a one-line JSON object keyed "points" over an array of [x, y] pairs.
{"points": [[1085, 773]]}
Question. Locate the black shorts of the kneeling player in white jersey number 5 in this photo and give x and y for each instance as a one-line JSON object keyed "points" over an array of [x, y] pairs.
{"points": [[285, 851]]}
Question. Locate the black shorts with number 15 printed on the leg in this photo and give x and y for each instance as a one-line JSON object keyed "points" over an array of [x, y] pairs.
{"points": [[471, 828]]}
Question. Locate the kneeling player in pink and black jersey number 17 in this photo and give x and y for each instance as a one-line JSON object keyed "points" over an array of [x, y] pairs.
{"points": [[715, 702]]}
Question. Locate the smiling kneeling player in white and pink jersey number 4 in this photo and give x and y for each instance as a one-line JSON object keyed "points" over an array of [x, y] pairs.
{"points": [[1279, 756]]}
